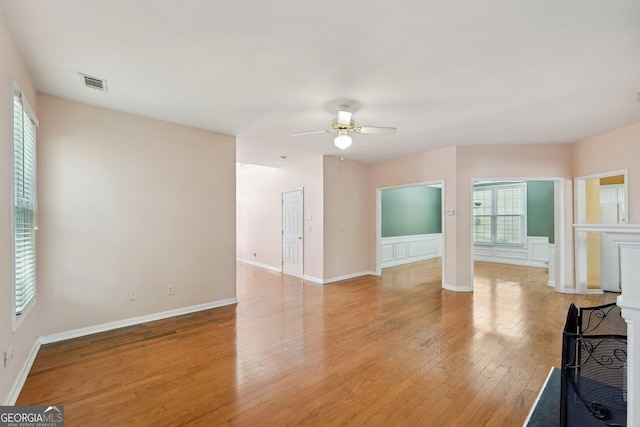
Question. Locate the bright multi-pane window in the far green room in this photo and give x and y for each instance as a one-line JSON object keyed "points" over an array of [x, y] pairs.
{"points": [[499, 214]]}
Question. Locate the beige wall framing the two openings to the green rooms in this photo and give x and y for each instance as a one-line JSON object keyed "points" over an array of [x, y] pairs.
{"points": [[457, 166]]}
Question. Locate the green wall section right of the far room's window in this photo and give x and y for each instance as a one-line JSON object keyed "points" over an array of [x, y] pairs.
{"points": [[540, 209]]}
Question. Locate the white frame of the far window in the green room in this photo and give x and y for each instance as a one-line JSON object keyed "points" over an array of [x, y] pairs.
{"points": [[494, 215]]}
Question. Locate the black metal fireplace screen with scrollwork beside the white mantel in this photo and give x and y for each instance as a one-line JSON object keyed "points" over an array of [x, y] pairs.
{"points": [[594, 367]]}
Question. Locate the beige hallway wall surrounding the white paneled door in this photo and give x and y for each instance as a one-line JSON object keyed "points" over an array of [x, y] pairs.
{"points": [[259, 213]]}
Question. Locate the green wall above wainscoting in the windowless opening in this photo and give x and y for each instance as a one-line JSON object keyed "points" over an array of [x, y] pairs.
{"points": [[411, 210]]}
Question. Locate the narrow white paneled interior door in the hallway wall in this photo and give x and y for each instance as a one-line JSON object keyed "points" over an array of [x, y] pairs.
{"points": [[292, 222]]}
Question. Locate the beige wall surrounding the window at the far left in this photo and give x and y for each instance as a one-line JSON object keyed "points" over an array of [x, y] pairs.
{"points": [[11, 69]]}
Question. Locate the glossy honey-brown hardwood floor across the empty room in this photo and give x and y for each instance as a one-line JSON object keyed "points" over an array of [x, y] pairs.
{"points": [[390, 350]]}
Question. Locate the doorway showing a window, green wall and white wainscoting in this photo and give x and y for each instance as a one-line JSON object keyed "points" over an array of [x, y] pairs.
{"points": [[519, 221]]}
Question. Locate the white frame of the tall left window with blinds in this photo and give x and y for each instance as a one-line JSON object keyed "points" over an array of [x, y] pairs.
{"points": [[28, 113]]}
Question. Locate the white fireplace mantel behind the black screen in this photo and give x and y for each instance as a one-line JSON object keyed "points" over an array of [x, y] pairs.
{"points": [[627, 238]]}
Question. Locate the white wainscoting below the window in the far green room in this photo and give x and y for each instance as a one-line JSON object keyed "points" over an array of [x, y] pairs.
{"points": [[534, 253]]}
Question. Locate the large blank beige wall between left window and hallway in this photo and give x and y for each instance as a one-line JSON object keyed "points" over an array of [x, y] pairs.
{"points": [[129, 203]]}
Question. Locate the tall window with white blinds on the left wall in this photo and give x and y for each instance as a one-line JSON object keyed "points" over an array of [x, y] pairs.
{"points": [[24, 202]]}
